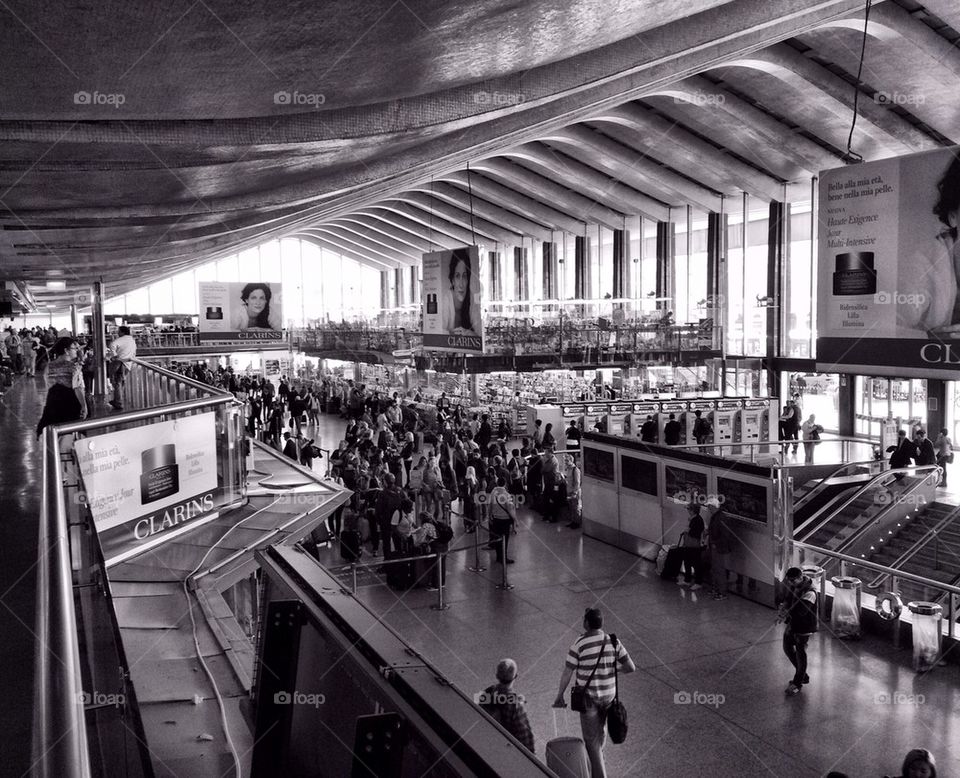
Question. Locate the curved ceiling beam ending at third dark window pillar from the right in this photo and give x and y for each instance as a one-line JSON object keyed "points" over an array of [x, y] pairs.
{"points": [[574, 174]]}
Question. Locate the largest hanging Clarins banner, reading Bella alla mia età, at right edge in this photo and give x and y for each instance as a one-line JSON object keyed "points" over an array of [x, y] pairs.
{"points": [[889, 264]]}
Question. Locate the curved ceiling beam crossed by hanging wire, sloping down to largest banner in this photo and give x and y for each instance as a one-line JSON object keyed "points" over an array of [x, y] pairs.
{"points": [[834, 95]]}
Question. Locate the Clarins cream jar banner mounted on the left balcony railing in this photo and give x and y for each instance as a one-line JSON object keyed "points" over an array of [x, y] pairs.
{"points": [[148, 484]]}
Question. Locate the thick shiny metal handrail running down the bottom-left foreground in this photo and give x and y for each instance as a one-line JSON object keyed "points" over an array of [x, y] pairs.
{"points": [[60, 748]]}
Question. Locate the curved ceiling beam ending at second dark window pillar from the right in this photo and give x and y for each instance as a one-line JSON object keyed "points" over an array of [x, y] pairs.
{"points": [[634, 168]]}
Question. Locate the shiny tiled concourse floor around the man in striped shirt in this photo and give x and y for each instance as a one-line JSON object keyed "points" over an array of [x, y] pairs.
{"points": [[724, 656]]}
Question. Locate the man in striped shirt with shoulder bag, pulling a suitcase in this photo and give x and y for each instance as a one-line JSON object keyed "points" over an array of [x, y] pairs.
{"points": [[594, 654]]}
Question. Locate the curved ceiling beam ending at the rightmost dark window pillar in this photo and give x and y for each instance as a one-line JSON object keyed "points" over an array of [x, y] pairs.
{"points": [[683, 150]]}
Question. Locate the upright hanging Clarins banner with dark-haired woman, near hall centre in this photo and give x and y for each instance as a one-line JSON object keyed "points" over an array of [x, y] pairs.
{"points": [[452, 319]]}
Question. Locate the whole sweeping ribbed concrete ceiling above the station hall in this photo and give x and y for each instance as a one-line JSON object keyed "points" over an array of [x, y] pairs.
{"points": [[138, 141]]}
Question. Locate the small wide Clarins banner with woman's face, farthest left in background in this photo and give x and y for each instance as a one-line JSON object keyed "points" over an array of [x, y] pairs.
{"points": [[241, 311]]}
